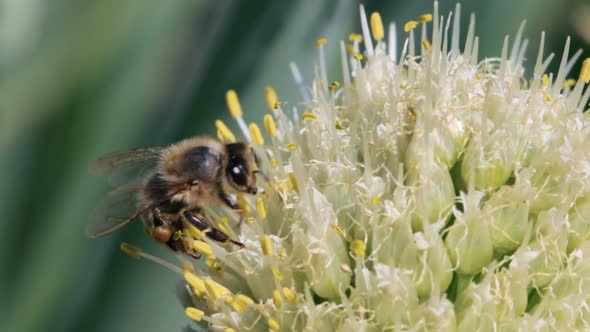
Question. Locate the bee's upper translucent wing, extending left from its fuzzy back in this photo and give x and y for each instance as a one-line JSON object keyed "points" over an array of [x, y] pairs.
{"points": [[126, 167]]}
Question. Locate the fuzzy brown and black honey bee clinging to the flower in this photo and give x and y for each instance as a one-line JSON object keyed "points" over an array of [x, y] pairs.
{"points": [[185, 179]]}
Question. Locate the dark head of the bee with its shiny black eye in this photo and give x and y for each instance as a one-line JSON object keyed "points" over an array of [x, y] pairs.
{"points": [[241, 167]]}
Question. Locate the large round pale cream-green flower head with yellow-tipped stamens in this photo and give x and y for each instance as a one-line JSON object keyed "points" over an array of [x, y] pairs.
{"points": [[427, 190]]}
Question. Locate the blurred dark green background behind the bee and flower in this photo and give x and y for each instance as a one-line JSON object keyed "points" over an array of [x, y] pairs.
{"points": [[82, 78]]}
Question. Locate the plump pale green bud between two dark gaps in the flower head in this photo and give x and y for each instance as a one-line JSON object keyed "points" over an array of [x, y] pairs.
{"points": [[469, 242]]}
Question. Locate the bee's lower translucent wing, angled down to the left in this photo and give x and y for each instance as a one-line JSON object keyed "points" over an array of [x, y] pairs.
{"points": [[122, 206]]}
